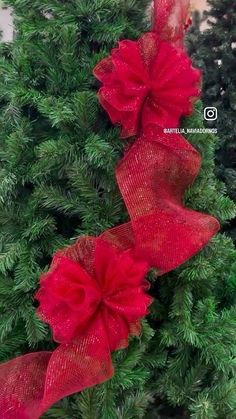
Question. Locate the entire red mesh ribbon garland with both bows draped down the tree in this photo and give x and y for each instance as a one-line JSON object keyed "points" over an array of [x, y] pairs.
{"points": [[95, 293]]}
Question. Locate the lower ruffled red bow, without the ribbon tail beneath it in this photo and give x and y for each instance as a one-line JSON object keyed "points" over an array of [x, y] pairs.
{"points": [[94, 290]]}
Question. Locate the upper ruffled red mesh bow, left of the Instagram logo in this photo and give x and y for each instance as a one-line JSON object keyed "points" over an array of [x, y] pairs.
{"points": [[147, 82]]}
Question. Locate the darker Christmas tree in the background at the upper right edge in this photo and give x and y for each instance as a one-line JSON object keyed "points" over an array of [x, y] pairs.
{"points": [[216, 54]]}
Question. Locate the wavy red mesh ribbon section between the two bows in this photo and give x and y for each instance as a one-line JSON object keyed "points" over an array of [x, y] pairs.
{"points": [[153, 177]]}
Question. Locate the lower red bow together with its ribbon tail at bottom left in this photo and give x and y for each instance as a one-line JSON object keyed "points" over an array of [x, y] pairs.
{"points": [[93, 297]]}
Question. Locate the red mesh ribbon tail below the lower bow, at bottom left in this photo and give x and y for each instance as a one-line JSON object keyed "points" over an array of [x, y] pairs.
{"points": [[31, 384]]}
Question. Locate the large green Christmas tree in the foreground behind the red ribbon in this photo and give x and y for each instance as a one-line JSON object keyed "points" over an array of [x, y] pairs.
{"points": [[58, 156]]}
